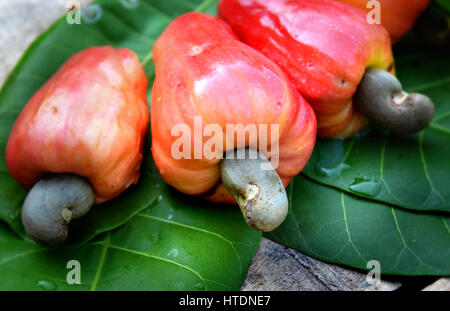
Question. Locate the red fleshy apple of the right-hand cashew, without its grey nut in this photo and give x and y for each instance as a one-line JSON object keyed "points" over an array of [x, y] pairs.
{"points": [[323, 46]]}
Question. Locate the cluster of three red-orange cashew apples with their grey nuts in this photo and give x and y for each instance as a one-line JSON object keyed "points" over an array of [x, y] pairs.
{"points": [[290, 63]]}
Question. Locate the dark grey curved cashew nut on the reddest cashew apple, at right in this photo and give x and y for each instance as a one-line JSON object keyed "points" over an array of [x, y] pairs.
{"points": [[381, 99]]}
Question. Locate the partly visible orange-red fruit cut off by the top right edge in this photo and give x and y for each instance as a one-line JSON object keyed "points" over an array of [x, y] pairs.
{"points": [[397, 16]]}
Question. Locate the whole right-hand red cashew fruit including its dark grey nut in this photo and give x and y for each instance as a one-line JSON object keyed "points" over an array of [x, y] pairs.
{"points": [[342, 65]]}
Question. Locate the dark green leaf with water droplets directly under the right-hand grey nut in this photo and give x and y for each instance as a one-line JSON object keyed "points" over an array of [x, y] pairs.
{"points": [[412, 171]]}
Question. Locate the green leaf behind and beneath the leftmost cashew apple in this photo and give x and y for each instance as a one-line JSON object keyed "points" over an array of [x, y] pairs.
{"points": [[120, 23]]}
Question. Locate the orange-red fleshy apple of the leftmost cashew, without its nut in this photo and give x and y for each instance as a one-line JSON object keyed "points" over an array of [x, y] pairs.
{"points": [[89, 118]]}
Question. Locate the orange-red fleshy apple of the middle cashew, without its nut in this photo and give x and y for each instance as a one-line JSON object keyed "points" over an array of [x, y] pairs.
{"points": [[202, 69]]}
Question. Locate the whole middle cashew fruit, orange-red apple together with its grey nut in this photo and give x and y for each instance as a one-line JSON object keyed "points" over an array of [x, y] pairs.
{"points": [[205, 76]]}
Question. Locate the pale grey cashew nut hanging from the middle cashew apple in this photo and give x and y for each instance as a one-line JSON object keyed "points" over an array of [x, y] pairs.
{"points": [[259, 192]]}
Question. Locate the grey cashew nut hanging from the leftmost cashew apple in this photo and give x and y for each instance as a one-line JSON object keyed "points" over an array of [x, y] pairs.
{"points": [[52, 203]]}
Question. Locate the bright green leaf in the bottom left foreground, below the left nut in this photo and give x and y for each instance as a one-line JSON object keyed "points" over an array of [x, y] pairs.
{"points": [[177, 243]]}
